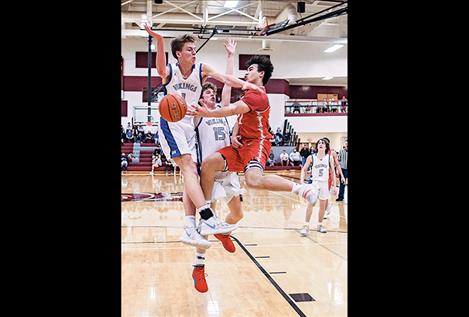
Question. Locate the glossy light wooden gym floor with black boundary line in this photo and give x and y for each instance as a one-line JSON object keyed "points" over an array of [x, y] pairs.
{"points": [[272, 261]]}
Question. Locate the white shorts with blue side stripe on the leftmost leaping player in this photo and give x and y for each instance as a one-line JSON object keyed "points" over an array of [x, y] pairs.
{"points": [[177, 138]]}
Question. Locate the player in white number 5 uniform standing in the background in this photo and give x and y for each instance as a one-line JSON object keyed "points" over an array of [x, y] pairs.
{"points": [[321, 165]]}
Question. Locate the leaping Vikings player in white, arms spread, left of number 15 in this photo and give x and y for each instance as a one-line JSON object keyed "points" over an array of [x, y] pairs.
{"points": [[178, 138]]}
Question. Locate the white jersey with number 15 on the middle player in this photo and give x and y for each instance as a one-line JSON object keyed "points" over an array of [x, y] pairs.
{"points": [[212, 134]]}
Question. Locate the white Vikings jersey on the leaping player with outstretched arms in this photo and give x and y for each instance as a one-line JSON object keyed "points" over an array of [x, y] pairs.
{"points": [[190, 88]]}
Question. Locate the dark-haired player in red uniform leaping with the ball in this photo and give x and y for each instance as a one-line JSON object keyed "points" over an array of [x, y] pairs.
{"points": [[253, 111]]}
